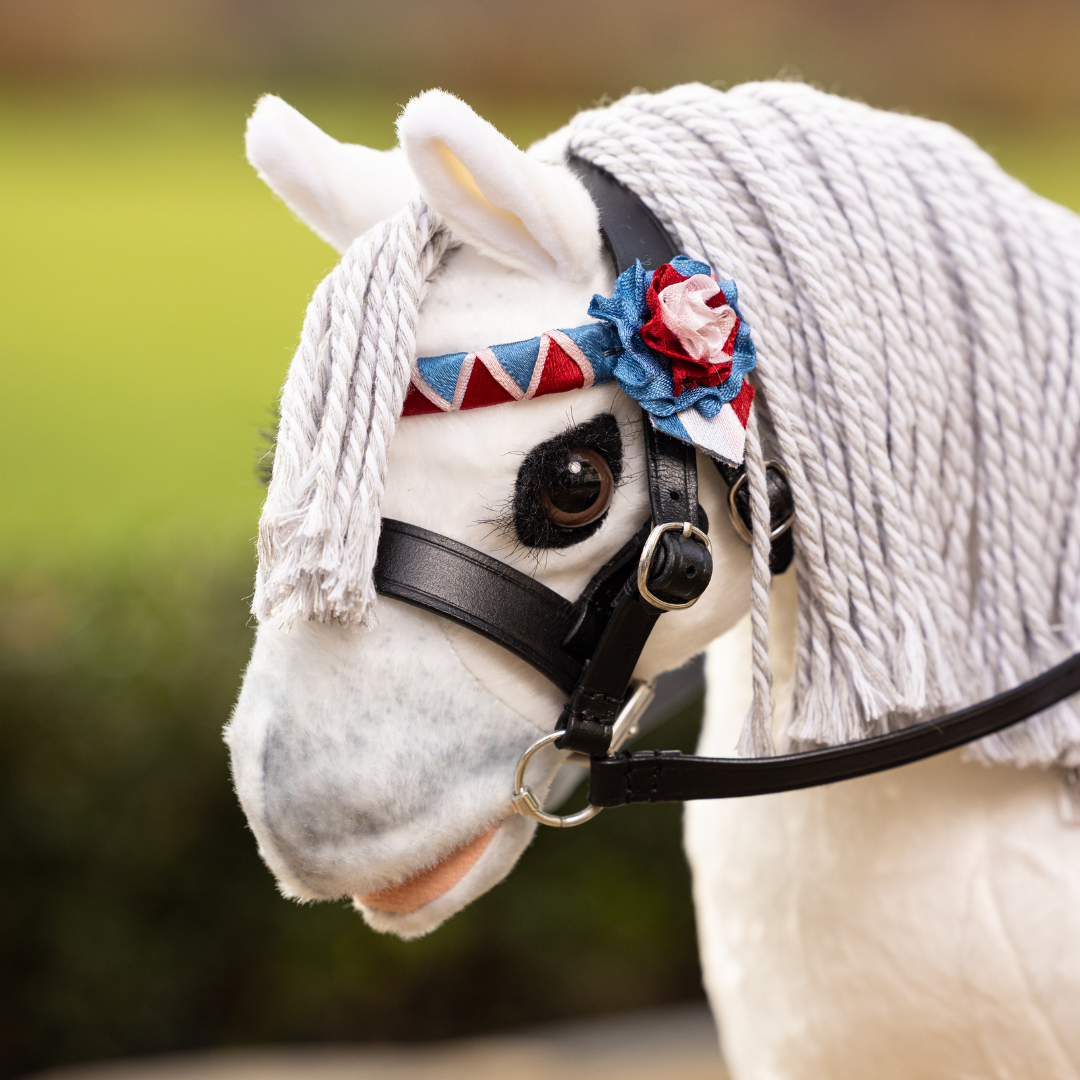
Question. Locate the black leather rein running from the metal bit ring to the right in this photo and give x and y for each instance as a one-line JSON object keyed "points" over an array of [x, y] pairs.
{"points": [[670, 777]]}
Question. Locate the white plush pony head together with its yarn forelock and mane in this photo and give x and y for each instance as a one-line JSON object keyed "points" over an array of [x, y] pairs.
{"points": [[916, 360]]}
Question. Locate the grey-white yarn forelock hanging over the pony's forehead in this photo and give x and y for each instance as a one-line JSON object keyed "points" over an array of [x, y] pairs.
{"points": [[340, 408]]}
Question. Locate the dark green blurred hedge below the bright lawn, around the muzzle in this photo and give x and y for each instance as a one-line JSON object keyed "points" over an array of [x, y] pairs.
{"points": [[137, 916]]}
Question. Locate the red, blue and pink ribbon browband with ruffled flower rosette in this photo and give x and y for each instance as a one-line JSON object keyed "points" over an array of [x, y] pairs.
{"points": [[673, 340]]}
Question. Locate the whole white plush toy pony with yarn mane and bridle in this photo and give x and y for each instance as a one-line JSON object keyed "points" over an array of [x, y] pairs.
{"points": [[560, 420]]}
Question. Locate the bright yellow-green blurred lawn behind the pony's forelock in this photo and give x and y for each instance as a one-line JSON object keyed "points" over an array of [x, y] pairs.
{"points": [[153, 293]]}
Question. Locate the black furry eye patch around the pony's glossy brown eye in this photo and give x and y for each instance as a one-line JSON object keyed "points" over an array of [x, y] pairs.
{"points": [[565, 485]]}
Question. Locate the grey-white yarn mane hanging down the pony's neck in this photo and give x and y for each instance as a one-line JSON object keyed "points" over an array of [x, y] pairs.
{"points": [[914, 310]]}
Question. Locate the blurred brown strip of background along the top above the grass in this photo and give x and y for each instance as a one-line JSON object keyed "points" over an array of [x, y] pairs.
{"points": [[925, 55]]}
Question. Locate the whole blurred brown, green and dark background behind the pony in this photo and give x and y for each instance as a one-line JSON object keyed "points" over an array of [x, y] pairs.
{"points": [[152, 293]]}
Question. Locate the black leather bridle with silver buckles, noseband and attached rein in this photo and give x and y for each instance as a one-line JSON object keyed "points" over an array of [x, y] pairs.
{"points": [[590, 649]]}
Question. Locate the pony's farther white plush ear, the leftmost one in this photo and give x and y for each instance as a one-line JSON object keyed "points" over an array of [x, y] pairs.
{"points": [[340, 191]]}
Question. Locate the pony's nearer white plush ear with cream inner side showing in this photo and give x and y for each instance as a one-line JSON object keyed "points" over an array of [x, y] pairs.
{"points": [[526, 214]]}
